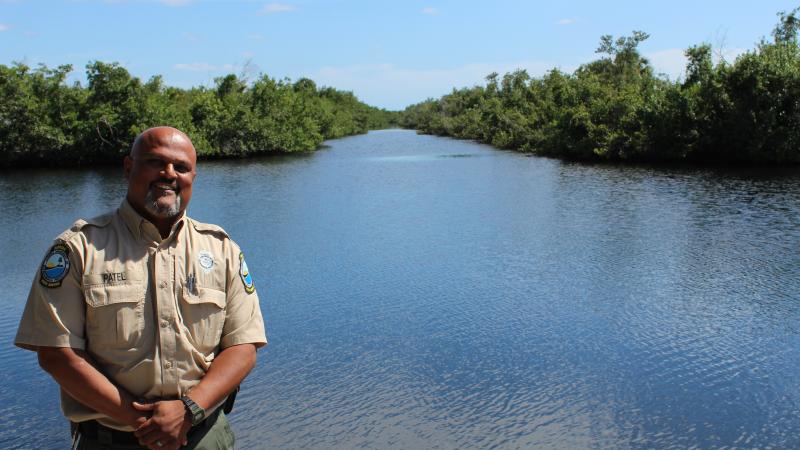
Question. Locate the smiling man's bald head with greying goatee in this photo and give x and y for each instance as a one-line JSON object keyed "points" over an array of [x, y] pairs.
{"points": [[160, 171]]}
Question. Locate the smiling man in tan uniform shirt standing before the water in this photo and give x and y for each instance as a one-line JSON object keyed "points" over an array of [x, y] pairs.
{"points": [[147, 319]]}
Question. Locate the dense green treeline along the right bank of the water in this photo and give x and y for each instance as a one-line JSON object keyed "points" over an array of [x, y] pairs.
{"points": [[616, 108]]}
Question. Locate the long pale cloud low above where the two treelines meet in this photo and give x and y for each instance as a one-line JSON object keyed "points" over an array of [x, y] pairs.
{"points": [[369, 81]]}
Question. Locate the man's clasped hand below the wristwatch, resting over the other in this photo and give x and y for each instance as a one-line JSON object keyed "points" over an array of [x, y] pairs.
{"points": [[167, 426]]}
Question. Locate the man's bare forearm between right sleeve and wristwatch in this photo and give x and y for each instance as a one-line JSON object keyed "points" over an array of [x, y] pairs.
{"points": [[228, 370]]}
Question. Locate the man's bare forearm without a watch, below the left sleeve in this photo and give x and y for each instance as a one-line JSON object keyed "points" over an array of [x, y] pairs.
{"points": [[77, 374]]}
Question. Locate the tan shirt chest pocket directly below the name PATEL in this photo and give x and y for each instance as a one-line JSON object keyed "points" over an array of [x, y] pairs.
{"points": [[114, 314]]}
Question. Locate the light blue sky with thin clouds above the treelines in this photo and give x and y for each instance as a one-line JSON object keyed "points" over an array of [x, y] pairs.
{"points": [[390, 54]]}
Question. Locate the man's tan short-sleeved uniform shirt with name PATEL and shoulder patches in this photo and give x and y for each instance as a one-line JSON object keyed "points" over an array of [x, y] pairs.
{"points": [[152, 312]]}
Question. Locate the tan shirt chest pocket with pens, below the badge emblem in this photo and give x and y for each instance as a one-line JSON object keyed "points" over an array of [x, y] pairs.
{"points": [[203, 314]]}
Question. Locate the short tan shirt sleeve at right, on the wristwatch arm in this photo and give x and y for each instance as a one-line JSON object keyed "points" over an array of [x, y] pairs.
{"points": [[243, 321]]}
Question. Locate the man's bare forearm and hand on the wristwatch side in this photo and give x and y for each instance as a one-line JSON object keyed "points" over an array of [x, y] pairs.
{"points": [[170, 421]]}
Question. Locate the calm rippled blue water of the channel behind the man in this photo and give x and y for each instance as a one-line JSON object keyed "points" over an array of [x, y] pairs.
{"points": [[429, 293]]}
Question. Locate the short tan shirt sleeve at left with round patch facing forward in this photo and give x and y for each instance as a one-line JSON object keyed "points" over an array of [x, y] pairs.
{"points": [[55, 311]]}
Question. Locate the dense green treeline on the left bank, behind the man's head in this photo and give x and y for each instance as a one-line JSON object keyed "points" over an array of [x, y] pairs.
{"points": [[46, 122]]}
